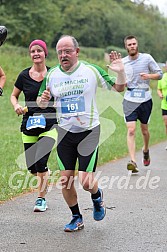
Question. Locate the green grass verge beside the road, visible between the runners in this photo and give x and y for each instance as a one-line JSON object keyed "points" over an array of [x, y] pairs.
{"points": [[14, 60]]}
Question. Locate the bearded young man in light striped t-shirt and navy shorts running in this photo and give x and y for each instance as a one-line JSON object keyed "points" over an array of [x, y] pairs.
{"points": [[140, 68]]}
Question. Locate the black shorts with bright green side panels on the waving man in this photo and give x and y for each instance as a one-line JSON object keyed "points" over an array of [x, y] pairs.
{"points": [[81, 147]]}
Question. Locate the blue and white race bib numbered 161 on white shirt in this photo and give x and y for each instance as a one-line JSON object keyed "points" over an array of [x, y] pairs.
{"points": [[74, 105]]}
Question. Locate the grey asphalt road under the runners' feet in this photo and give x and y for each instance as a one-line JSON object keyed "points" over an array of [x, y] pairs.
{"points": [[136, 217]]}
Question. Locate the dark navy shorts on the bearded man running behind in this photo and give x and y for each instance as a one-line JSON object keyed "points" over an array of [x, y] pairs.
{"points": [[137, 111]]}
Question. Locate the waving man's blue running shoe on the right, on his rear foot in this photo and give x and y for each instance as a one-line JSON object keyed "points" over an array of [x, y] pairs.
{"points": [[99, 209]]}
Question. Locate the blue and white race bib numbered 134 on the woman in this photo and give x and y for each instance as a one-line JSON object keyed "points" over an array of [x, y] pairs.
{"points": [[36, 122]]}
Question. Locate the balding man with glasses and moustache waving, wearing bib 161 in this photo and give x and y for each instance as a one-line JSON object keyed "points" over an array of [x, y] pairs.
{"points": [[73, 84]]}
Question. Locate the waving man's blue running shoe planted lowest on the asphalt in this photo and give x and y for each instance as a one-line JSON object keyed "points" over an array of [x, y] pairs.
{"points": [[75, 224]]}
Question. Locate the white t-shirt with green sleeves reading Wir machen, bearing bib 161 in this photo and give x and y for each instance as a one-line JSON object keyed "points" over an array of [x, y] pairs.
{"points": [[74, 94]]}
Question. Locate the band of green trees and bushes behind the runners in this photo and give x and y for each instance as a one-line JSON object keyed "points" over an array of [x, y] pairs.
{"points": [[94, 23]]}
